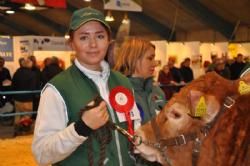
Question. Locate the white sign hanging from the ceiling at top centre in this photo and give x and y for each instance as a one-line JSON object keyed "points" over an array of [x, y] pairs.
{"points": [[123, 5]]}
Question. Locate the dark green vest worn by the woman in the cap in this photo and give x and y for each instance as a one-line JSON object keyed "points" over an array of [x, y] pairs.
{"points": [[77, 90]]}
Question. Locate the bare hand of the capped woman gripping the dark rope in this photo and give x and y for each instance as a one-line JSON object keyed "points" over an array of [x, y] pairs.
{"points": [[96, 117]]}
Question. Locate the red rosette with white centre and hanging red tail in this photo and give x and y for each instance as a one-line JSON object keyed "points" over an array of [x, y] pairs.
{"points": [[122, 100]]}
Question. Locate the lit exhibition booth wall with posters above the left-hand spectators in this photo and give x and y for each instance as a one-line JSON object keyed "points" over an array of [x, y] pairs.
{"points": [[13, 48]]}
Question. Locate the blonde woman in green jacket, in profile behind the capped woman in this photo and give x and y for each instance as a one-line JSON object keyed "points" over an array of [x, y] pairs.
{"points": [[136, 59]]}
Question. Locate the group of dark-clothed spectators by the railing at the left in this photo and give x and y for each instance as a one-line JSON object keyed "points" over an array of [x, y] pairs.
{"points": [[27, 78]]}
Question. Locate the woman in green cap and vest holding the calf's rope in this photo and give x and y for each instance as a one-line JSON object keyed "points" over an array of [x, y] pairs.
{"points": [[65, 131]]}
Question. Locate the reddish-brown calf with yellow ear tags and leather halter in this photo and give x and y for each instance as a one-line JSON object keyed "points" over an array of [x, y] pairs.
{"points": [[195, 106]]}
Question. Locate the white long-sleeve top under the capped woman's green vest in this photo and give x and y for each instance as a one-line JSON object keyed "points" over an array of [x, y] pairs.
{"points": [[53, 139]]}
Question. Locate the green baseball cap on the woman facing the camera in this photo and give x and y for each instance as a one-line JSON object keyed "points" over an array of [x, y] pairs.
{"points": [[84, 15]]}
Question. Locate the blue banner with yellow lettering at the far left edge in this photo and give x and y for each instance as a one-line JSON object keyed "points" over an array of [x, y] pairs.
{"points": [[6, 48]]}
